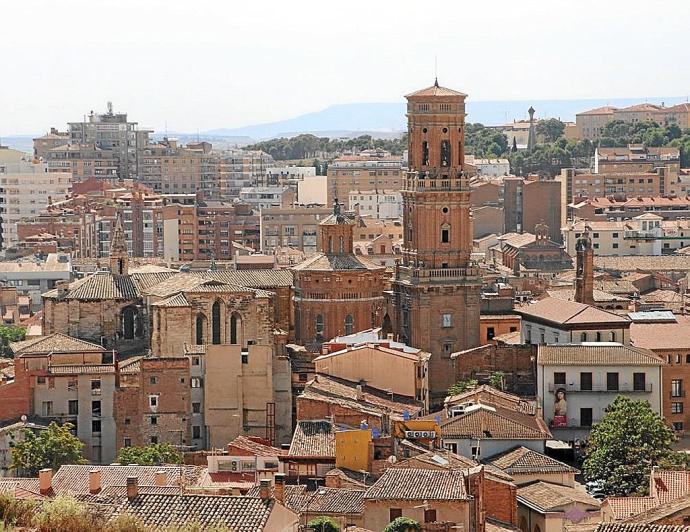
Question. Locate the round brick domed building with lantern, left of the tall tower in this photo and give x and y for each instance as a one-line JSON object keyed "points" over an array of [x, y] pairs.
{"points": [[336, 291]]}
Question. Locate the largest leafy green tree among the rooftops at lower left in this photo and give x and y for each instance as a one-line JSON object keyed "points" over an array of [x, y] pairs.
{"points": [[52, 447]]}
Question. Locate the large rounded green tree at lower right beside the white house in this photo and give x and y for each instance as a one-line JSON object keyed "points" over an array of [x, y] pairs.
{"points": [[626, 444]]}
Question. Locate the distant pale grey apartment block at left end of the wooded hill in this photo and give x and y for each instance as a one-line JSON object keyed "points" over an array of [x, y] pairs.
{"points": [[241, 168]]}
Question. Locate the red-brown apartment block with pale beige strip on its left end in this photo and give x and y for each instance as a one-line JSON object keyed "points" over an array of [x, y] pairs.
{"points": [[206, 230]]}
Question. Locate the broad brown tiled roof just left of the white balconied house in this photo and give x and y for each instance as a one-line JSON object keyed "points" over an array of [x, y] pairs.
{"points": [[489, 422]]}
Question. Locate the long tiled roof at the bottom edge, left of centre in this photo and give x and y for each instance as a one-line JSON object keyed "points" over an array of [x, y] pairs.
{"points": [[240, 514]]}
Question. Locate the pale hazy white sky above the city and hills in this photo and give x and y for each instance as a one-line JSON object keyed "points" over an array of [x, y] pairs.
{"points": [[206, 64]]}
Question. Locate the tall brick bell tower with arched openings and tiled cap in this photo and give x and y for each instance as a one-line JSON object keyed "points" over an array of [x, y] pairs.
{"points": [[435, 301]]}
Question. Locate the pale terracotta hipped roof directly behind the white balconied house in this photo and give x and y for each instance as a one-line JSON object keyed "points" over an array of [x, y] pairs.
{"points": [[566, 313]]}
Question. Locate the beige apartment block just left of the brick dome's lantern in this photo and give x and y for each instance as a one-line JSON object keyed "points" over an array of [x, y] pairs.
{"points": [[295, 227]]}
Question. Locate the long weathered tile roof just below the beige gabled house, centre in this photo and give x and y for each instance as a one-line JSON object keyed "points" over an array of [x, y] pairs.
{"points": [[344, 393]]}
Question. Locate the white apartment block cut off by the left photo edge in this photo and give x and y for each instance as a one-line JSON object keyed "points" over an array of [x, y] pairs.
{"points": [[26, 187]]}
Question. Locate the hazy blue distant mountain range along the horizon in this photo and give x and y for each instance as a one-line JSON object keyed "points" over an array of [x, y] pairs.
{"points": [[382, 120]]}
